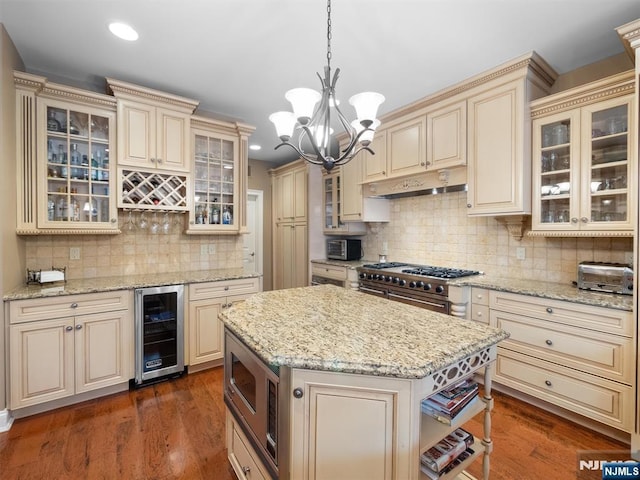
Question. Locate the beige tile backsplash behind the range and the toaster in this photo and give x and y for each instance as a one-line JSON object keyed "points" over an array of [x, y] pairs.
{"points": [[435, 229]]}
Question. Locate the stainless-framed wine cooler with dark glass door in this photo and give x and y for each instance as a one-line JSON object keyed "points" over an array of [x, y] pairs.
{"points": [[159, 326]]}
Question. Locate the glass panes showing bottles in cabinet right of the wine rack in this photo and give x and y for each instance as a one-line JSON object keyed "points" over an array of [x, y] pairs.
{"points": [[214, 181]]}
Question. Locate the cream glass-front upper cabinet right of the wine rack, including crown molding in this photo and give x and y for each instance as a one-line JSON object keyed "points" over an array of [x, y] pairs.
{"points": [[219, 169]]}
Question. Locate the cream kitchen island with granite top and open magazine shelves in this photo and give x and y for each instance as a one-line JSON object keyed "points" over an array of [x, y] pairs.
{"points": [[353, 370]]}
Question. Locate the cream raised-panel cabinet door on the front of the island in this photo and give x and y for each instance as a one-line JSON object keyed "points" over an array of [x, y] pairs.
{"points": [[372, 416]]}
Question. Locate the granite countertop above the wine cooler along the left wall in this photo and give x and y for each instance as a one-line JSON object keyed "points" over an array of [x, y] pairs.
{"points": [[125, 282]]}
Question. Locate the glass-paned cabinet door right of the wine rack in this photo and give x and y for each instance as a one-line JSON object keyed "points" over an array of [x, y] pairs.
{"points": [[215, 183]]}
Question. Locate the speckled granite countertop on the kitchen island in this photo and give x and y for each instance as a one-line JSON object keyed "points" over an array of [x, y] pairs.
{"points": [[342, 330]]}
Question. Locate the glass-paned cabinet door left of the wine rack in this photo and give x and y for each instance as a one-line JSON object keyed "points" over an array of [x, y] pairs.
{"points": [[75, 173]]}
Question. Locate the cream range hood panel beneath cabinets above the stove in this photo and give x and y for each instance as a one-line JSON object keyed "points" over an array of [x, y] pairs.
{"points": [[427, 183]]}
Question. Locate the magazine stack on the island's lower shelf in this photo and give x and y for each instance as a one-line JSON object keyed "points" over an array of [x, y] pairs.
{"points": [[447, 454]]}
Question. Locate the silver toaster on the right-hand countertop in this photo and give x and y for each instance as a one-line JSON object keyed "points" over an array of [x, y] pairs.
{"points": [[606, 277]]}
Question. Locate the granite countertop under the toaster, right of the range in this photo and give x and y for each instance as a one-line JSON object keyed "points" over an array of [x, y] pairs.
{"points": [[552, 290]]}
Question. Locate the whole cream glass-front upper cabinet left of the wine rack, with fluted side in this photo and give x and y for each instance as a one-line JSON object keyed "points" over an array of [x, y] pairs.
{"points": [[66, 178]]}
